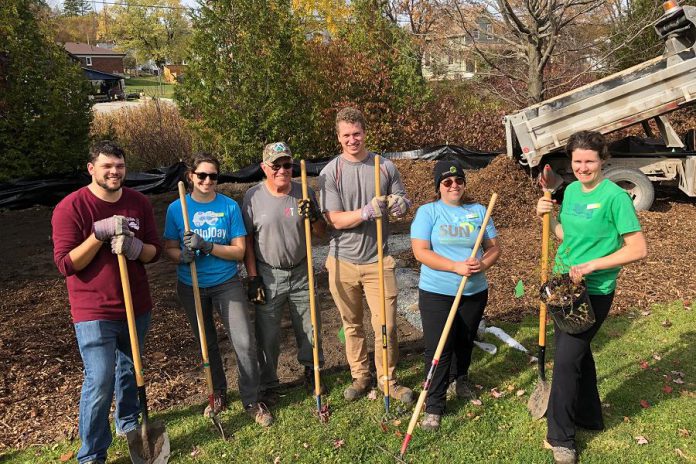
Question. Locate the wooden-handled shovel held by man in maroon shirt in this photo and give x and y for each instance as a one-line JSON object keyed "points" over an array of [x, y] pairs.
{"points": [[148, 443]]}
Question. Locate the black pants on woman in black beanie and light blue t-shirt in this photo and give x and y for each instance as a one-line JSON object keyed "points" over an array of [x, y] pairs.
{"points": [[434, 309]]}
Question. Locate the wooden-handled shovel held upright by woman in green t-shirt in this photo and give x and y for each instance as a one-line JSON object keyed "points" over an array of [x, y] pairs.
{"points": [[539, 399]]}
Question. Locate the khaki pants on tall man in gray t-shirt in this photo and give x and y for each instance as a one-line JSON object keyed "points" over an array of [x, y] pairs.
{"points": [[347, 282]]}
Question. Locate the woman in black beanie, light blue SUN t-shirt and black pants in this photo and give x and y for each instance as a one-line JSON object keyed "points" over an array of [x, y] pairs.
{"points": [[443, 235]]}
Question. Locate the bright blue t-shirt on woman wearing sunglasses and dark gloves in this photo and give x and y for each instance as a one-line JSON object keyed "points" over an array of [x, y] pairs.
{"points": [[218, 221]]}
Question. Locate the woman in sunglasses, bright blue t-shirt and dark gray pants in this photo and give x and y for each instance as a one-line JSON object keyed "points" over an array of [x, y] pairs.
{"points": [[216, 242]]}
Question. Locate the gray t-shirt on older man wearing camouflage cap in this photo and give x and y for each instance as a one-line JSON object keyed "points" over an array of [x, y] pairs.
{"points": [[277, 226]]}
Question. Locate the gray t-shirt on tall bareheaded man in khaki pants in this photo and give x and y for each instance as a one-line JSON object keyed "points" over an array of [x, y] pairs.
{"points": [[347, 186]]}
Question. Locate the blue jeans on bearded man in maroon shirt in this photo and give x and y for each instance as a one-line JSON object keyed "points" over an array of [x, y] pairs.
{"points": [[108, 366]]}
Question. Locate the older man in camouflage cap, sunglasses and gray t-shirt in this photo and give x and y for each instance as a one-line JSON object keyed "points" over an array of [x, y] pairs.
{"points": [[276, 261]]}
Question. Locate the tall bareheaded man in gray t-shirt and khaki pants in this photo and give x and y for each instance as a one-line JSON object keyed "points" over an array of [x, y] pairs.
{"points": [[349, 204]]}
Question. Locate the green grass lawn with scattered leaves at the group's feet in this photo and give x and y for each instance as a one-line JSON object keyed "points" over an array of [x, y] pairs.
{"points": [[640, 357]]}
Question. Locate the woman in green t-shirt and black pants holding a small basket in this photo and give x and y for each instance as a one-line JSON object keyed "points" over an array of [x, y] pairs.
{"points": [[599, 233]]}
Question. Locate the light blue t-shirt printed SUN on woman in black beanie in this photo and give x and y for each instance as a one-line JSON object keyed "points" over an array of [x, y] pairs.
{"points": [[452, 232]]}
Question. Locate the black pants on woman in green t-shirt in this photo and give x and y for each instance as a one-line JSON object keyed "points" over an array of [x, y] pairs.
{"points": [[574, 397]]}
